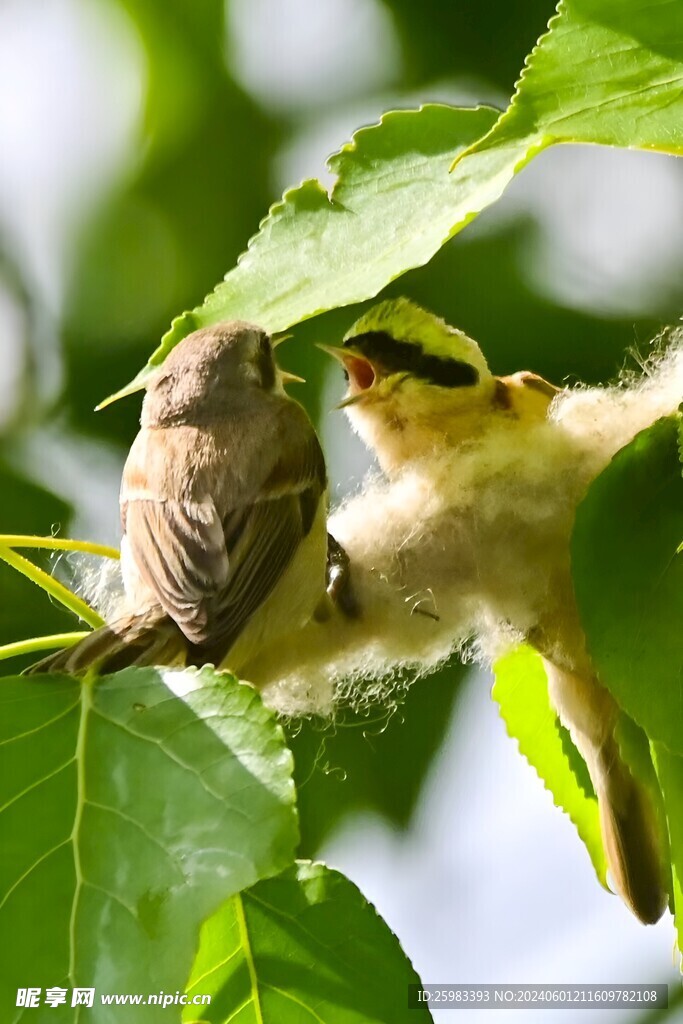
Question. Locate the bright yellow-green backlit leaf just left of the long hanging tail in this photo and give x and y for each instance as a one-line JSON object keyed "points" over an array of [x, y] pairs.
{"points": [[522, 693]]}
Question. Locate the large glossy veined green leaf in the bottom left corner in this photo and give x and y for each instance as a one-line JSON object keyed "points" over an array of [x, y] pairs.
{"points": [[131, 808]]}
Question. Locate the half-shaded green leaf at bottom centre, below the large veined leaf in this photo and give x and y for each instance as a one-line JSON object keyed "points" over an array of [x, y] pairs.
{"points": [[305, 948]]}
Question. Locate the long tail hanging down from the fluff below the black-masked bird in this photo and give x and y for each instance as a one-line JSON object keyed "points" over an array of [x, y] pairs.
{"points": [[628, 819]]}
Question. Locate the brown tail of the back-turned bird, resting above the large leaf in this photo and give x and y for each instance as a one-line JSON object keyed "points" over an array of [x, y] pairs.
{"points": [[132, 642]]}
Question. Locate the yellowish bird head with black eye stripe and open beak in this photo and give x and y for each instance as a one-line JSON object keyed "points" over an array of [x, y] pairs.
{"points": [[413, 379]]}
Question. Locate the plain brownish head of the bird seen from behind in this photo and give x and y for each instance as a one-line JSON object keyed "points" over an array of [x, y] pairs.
{"points": [[211, 370]]}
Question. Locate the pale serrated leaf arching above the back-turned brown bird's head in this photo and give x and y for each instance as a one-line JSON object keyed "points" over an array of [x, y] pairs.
{"points": [[393, 207]]}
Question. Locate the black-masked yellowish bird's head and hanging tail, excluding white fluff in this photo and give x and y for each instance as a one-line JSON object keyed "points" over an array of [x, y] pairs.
{"points": [[419, 390]]}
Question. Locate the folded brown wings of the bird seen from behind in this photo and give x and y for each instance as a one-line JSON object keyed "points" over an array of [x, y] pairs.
{"points": [[214, 561]]}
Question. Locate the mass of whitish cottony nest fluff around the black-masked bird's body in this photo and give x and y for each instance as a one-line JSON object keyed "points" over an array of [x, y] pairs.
{"points": [[467, 549]]}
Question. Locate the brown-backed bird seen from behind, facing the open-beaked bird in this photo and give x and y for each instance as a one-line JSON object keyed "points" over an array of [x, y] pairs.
{"points": [[224, 508]]}
